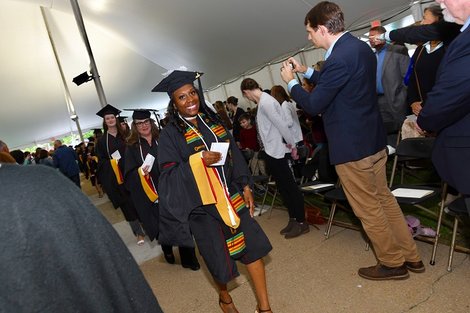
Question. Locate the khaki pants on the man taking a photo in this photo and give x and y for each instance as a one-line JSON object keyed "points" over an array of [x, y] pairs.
{"points": [[365, 185]]}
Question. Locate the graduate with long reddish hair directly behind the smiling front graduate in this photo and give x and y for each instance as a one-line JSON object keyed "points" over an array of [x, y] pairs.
{"points": [[142, 180]]}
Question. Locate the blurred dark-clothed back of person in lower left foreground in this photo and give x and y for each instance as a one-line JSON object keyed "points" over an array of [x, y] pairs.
{"points": [[64, 256]]}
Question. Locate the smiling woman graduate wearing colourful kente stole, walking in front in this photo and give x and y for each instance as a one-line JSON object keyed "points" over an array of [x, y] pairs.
{"points": [[213, 203]]}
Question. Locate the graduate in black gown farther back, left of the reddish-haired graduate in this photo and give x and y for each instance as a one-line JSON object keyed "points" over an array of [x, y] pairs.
{"points": [[110, 150]]}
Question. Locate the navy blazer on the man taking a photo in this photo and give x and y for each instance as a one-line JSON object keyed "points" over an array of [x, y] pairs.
{"points": [[346, 97]]}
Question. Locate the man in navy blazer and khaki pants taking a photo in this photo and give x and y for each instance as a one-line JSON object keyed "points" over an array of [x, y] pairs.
{"points": [[345, 95]]}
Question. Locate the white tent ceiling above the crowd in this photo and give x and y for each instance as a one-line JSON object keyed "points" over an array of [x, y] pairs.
{"points": [[134, 42]]}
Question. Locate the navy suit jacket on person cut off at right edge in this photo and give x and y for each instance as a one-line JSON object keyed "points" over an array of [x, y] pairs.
{"points": [[447, 112]]}
